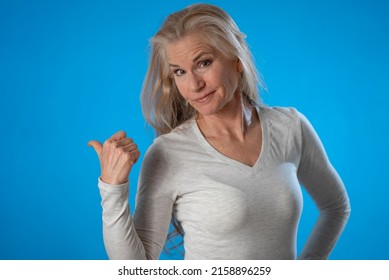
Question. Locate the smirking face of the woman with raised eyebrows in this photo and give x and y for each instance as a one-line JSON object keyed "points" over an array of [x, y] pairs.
{"points": [[205, 77]]}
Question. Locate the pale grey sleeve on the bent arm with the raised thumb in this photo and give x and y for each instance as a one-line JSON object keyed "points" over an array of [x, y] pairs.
{"points": [[143, 235]]}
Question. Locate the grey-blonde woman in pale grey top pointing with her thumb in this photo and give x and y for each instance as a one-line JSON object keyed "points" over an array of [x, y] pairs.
{"points": [[226, 168]]}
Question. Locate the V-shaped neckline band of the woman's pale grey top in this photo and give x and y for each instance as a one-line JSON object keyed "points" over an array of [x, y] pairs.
{"points": [[215, 153]]}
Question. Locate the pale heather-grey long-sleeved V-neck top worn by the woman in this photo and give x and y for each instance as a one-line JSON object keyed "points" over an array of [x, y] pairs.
{"points": [[229, 210]]}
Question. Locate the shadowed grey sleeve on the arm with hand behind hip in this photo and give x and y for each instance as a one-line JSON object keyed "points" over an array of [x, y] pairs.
{"points": [[323, 183]]}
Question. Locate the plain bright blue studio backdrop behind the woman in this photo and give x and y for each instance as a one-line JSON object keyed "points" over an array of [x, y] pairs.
{"points": [[71, 71]]}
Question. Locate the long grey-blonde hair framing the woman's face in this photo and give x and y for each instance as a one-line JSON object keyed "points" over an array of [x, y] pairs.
{"points": [[162, 104]]}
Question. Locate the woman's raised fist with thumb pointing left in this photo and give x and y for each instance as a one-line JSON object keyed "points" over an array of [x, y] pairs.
{"points": [[117, 156]]}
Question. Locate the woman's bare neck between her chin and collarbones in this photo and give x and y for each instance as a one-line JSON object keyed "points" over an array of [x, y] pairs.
{"points": [[233, 120]]}
